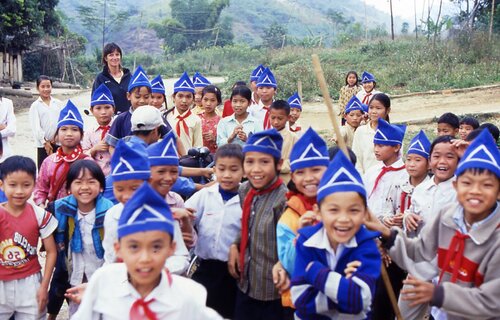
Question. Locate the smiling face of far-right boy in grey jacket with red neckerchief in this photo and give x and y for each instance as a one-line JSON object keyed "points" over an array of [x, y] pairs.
{"points": [[477, 193]]}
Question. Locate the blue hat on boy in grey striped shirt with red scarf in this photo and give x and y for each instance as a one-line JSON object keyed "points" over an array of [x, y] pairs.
{"points": [[267, 141]]}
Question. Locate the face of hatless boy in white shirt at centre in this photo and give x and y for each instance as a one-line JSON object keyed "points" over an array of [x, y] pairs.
{"points": [[229, 172]]}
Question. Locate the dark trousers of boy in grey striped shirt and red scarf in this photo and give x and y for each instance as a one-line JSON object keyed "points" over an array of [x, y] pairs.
{"points": [[248, 308]]}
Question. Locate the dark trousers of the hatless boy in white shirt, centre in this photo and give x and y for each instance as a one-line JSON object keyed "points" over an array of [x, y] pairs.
{"points": [[221, 287]]}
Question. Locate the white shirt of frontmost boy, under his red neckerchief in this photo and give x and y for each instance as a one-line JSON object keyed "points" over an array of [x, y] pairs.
{"points": [[109, 295]]}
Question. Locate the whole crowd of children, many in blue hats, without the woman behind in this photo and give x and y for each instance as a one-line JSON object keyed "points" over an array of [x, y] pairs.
{"points": [[285, 230]]}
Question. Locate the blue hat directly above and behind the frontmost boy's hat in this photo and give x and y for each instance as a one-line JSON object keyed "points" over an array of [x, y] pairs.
{"points": [[130, 161]]}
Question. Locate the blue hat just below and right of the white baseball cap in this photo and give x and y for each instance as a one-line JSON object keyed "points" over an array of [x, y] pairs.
{"points": [[164, 152]]}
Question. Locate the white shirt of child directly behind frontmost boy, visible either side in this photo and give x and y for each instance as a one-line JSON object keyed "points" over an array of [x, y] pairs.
{"points": [[177, 263]]}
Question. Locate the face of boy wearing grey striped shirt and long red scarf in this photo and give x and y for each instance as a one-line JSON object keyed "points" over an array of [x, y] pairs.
{"points": [[260, 168]]}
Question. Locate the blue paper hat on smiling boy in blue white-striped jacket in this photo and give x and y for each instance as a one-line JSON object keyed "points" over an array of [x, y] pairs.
{"points": [[340, 176]]}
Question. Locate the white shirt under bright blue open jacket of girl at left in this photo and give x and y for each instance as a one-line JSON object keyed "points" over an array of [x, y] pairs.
{"points": [[87, 262]]}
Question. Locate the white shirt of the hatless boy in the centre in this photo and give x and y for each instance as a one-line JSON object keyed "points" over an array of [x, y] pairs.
{"points": [[218, 223]]}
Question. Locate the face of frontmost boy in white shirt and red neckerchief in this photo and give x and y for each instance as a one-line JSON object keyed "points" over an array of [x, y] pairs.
{"points": [[144, 254]]}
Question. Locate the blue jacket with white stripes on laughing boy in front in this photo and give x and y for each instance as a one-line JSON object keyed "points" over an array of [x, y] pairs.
{"points": [[321, 293]]}
